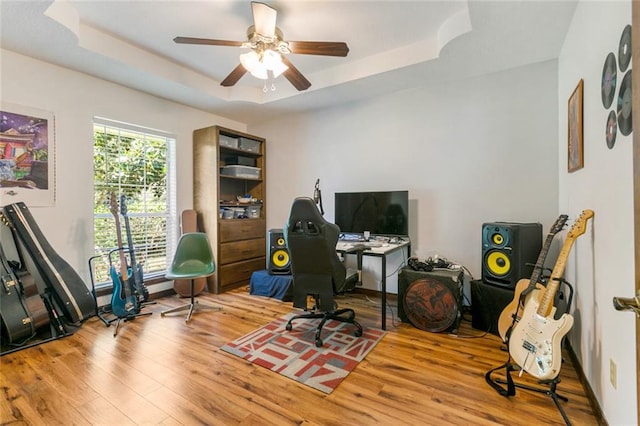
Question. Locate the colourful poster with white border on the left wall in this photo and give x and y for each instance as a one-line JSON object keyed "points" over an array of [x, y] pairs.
{"points": [[27, 156]]}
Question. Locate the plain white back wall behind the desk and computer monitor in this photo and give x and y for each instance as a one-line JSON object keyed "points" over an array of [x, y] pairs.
{"points": [[472, 151]]}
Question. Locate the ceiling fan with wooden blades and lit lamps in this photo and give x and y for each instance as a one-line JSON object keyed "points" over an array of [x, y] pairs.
{"points": [[268, 49]]}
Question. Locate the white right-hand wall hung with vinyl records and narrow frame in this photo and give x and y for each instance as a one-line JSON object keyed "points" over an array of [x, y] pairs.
{"points": [[601, 262]]}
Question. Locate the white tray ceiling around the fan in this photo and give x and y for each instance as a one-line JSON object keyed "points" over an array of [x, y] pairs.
{"points": [[394, 45]]}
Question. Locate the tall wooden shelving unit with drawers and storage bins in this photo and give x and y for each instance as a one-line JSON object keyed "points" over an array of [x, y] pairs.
{"points": [[234, 163]]}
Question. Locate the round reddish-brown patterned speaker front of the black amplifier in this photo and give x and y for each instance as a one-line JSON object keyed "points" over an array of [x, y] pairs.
{"points": [[430, 305]]}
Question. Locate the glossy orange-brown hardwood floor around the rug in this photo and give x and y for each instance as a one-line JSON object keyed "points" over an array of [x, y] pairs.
{"points": [[160, 370]]}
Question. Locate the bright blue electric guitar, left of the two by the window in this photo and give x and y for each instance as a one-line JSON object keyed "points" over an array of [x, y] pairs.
{"points": [[123, 302]]}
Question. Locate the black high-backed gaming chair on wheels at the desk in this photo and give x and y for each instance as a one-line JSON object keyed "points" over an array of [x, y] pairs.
{"points": [[316, 268]]}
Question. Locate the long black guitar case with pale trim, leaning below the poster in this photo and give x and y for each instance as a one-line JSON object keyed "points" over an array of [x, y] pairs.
{"points": [[69, 290]]}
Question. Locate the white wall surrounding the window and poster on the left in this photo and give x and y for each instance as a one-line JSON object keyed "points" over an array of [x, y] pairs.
{"points": [[74, 99]]}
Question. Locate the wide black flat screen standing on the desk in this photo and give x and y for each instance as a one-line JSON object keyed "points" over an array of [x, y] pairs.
{"points": [[381, 213]]}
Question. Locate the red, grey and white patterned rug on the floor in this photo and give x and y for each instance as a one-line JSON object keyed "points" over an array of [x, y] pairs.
{"points": [[295, 355]]}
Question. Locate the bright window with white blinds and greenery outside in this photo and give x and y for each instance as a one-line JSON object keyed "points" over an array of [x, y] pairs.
{"points": [[137, 164]]}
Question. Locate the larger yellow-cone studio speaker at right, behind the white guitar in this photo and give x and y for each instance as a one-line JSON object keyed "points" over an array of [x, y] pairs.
{"points": [[509, 251]]}
